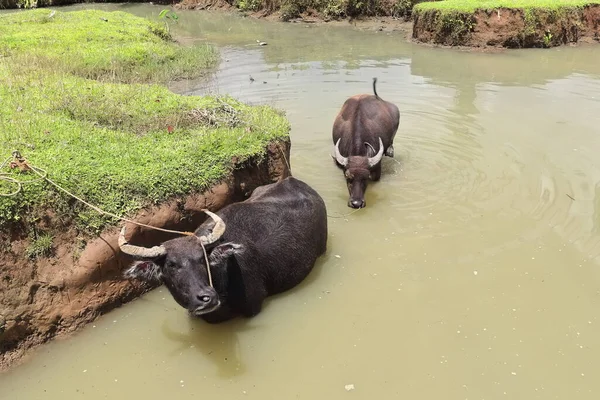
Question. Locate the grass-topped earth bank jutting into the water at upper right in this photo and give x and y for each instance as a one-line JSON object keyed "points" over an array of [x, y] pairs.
{"points": [[509, 23]]}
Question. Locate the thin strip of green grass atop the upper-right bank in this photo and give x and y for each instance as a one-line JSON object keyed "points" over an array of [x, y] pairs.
{"points": [[472, 5]]}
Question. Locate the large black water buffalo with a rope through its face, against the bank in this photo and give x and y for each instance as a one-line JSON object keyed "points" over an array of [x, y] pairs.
{"points": [[264, 245]]}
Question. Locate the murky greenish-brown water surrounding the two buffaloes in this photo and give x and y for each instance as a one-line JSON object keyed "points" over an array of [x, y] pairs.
{"points": [[473, 273]]}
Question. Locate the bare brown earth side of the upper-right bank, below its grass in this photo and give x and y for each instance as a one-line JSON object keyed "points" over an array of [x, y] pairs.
{"points": [[511, 28]]}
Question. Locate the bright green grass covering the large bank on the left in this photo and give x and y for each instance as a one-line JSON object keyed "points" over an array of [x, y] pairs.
{"points": [[83, 97]]}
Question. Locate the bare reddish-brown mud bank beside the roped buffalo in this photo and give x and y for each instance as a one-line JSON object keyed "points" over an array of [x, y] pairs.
{"points": [[53, 296]]}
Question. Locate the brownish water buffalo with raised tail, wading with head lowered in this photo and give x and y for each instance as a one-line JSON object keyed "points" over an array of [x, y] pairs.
{"points": [[363, 131]]}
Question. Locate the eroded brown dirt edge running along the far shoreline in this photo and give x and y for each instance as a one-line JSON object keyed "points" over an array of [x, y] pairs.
{"points": [[486, 30]]}
